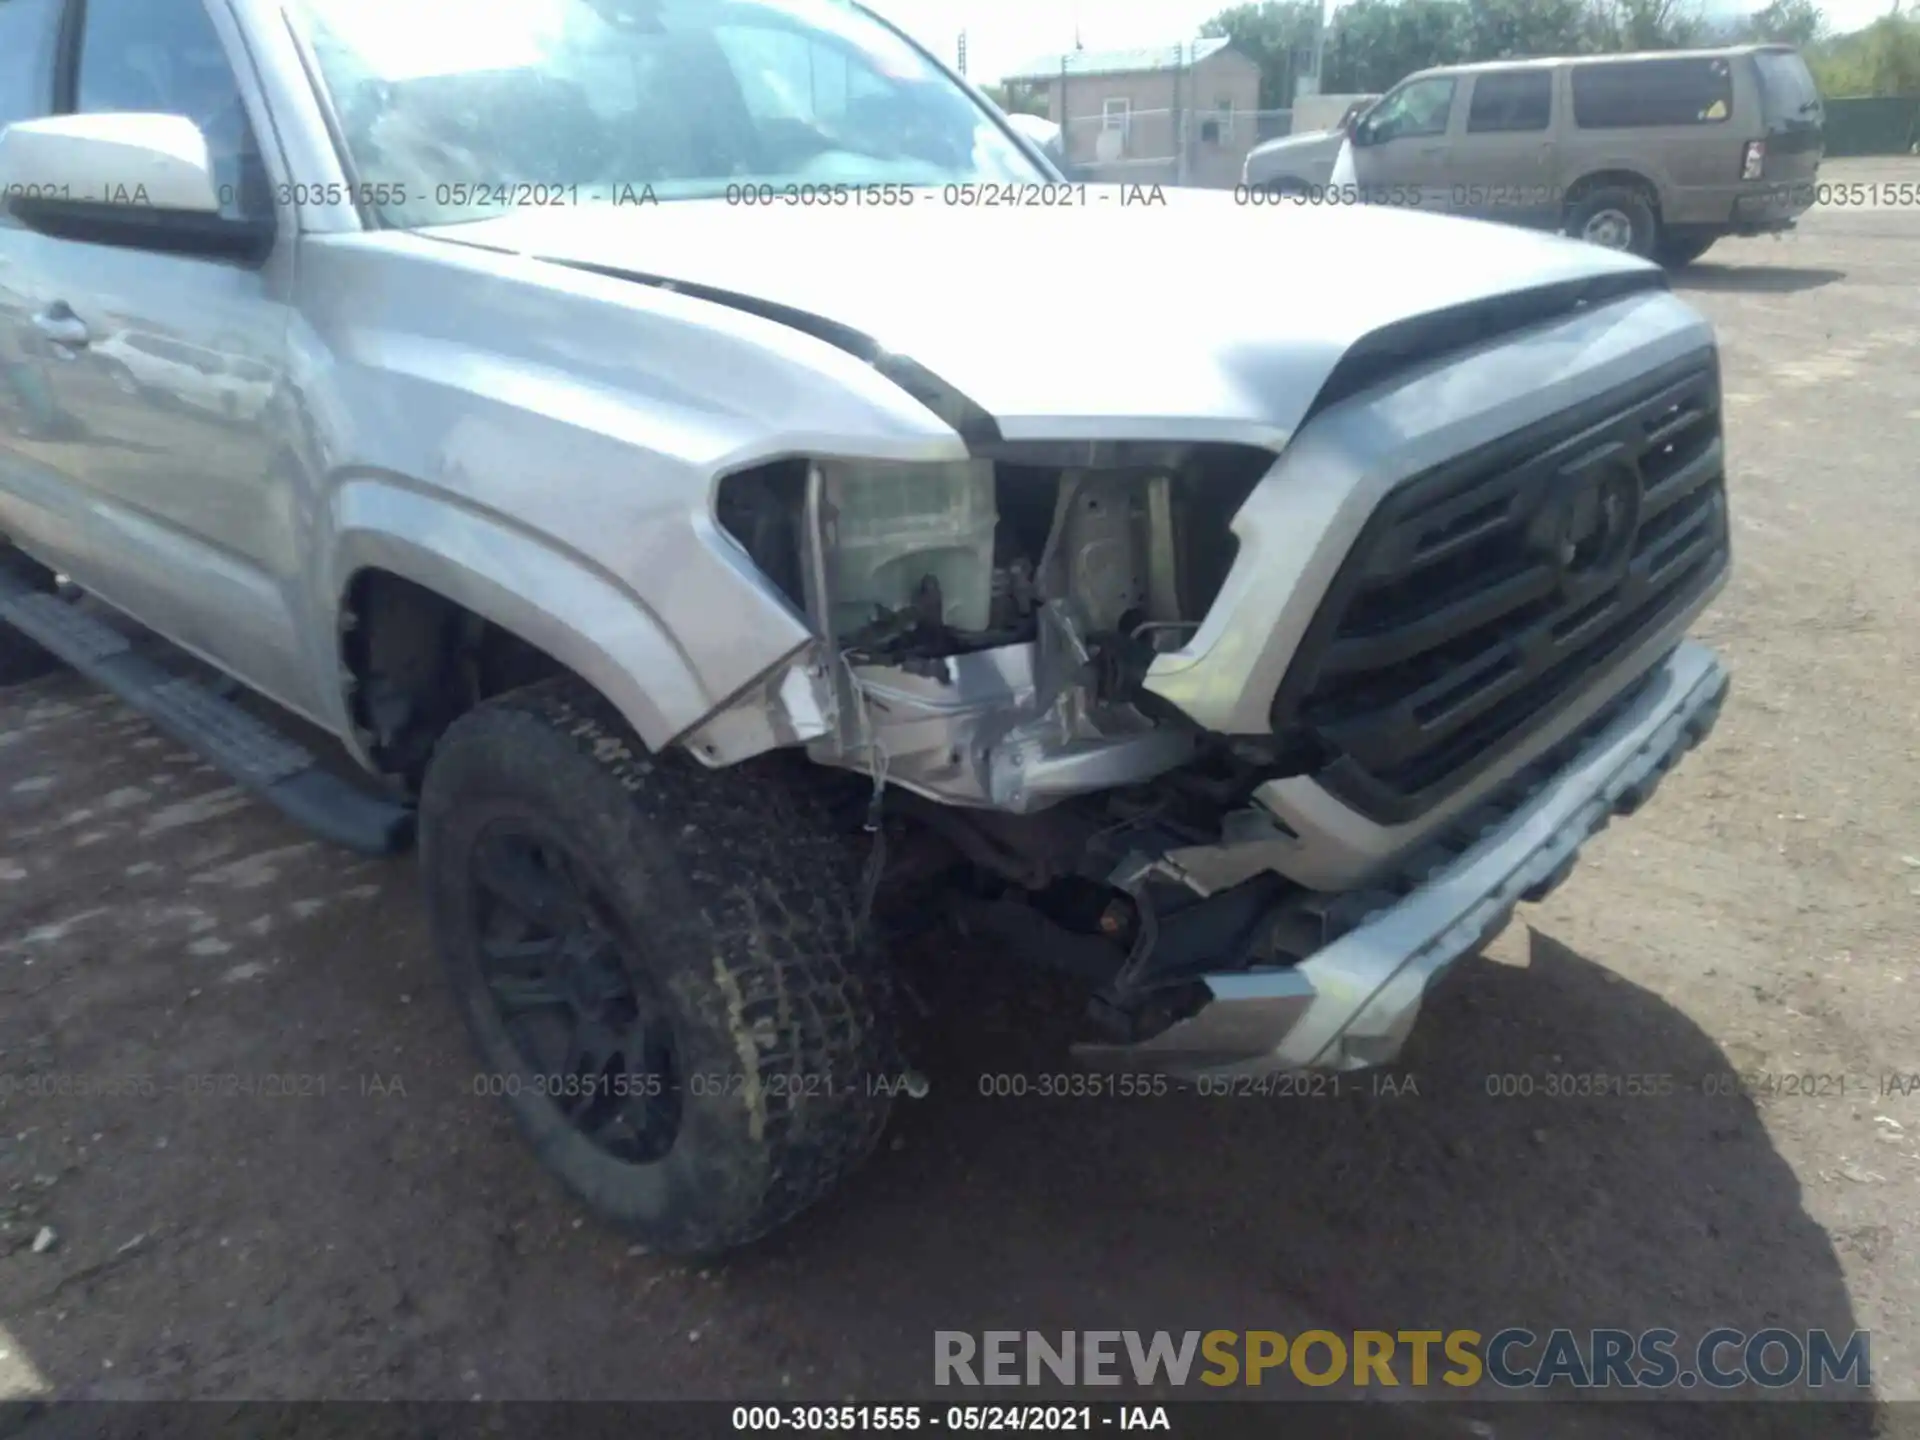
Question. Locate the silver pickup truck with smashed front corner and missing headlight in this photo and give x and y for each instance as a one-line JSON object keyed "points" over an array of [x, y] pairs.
{"points": [[638, 431]]}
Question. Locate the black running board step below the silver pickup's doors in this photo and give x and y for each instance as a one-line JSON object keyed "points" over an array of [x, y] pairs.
{"points": [[231, 740]]}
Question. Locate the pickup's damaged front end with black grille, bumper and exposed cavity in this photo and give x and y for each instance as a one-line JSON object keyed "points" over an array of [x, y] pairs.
{"points": [[1259, 746]]}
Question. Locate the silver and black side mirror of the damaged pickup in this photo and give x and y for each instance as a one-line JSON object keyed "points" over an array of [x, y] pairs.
{"points": [[128, 180]]}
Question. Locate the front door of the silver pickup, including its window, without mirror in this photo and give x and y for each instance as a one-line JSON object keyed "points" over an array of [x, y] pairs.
{"points": [[166, 496]]}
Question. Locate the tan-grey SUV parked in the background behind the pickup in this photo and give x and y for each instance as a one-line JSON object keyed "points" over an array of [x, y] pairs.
{"points": [[1656, 155]]}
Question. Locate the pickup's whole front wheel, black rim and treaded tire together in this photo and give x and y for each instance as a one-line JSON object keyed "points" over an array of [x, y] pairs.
{"points": [[660, 967]]}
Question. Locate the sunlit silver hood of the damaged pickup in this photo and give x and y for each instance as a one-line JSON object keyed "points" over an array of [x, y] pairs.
{"points": [[1140, 314]]}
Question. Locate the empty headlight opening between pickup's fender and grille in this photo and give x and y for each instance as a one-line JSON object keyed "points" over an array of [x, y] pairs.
{"points": [[915, 562]]}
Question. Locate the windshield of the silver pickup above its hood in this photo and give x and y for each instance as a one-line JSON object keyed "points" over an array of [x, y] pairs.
{"points": [[456, 110]]}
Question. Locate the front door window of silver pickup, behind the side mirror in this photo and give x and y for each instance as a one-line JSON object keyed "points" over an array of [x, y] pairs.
{"points": [[166, 57]]}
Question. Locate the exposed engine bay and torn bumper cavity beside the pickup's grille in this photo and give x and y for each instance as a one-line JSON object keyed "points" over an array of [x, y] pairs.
{"points": [[992, 625]]}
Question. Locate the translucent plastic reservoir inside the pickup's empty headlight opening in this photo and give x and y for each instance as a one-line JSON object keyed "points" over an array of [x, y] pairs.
{"points": [[901, 523]]}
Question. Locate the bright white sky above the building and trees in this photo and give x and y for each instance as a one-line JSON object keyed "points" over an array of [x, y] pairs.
{"points": [[1007, 34]]}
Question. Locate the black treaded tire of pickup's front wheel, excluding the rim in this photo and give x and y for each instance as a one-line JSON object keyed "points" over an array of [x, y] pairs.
{"points": [[742, 900]]}
